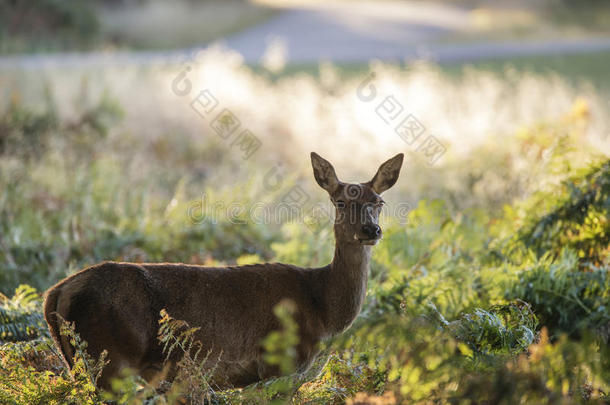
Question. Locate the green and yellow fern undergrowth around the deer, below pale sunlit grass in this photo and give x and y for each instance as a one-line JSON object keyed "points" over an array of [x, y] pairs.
{"points": [[497, 300]]}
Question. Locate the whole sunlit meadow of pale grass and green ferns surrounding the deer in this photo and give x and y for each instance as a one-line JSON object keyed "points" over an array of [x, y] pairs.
{"points": [[491, 284]]}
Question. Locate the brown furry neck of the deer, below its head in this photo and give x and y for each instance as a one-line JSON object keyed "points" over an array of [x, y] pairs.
{"points": [[345, 288]]}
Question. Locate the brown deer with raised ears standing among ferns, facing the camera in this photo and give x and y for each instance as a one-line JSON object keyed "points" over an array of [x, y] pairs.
{"points": [[115, 306]]}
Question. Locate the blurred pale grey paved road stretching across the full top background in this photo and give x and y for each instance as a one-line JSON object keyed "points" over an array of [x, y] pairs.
{"points": [[396, 31]]}
